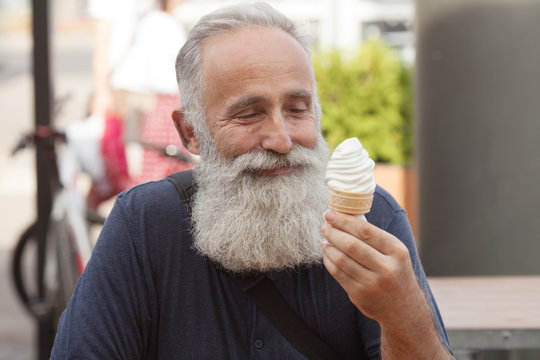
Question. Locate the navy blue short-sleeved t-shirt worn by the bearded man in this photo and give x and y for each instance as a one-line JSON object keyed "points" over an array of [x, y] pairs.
{"points": [[146, 294]]}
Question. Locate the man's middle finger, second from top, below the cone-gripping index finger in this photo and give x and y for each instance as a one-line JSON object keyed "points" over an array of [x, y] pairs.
{"points": [[353, 248]]}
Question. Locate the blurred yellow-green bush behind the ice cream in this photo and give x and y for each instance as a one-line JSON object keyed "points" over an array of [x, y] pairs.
{"points": [[367, 95]]}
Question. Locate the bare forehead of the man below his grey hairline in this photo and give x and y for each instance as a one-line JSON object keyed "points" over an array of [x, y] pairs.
{"points": [[252, 54]]}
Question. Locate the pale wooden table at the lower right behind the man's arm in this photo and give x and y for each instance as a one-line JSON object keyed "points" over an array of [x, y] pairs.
{"points": [[491, 312]]}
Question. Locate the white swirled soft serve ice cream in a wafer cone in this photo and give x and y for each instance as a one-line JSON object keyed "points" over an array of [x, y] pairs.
{"points": [[350, 180]]}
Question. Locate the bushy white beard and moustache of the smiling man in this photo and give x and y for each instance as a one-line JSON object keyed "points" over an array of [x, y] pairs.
{"points": [[245, 221]]}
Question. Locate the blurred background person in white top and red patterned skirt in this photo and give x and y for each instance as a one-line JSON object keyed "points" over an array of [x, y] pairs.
{"points": [[134, 82]]}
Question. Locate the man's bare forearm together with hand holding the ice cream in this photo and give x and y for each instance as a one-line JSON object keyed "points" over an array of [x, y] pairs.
{"points": [[375, 269]]}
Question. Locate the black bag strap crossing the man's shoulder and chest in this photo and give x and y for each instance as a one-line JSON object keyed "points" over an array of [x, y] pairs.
{"points": [[265, 293]]}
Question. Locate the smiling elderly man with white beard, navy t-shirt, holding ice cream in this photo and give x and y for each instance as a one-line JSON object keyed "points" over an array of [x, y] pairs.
{"points": [[159, 283]]}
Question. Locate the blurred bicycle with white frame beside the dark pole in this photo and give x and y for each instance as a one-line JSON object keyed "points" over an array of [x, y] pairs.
{"points": [[62, 242]]}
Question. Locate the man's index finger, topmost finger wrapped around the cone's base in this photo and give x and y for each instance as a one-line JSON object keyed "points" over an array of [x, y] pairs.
{"points": [[363, 230]]}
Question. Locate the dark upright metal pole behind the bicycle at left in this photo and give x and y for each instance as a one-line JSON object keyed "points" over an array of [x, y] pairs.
{"points": [[43, 96]]}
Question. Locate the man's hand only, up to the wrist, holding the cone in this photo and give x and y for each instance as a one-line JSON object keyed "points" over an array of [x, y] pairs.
{"points": [[373, 267]]}
